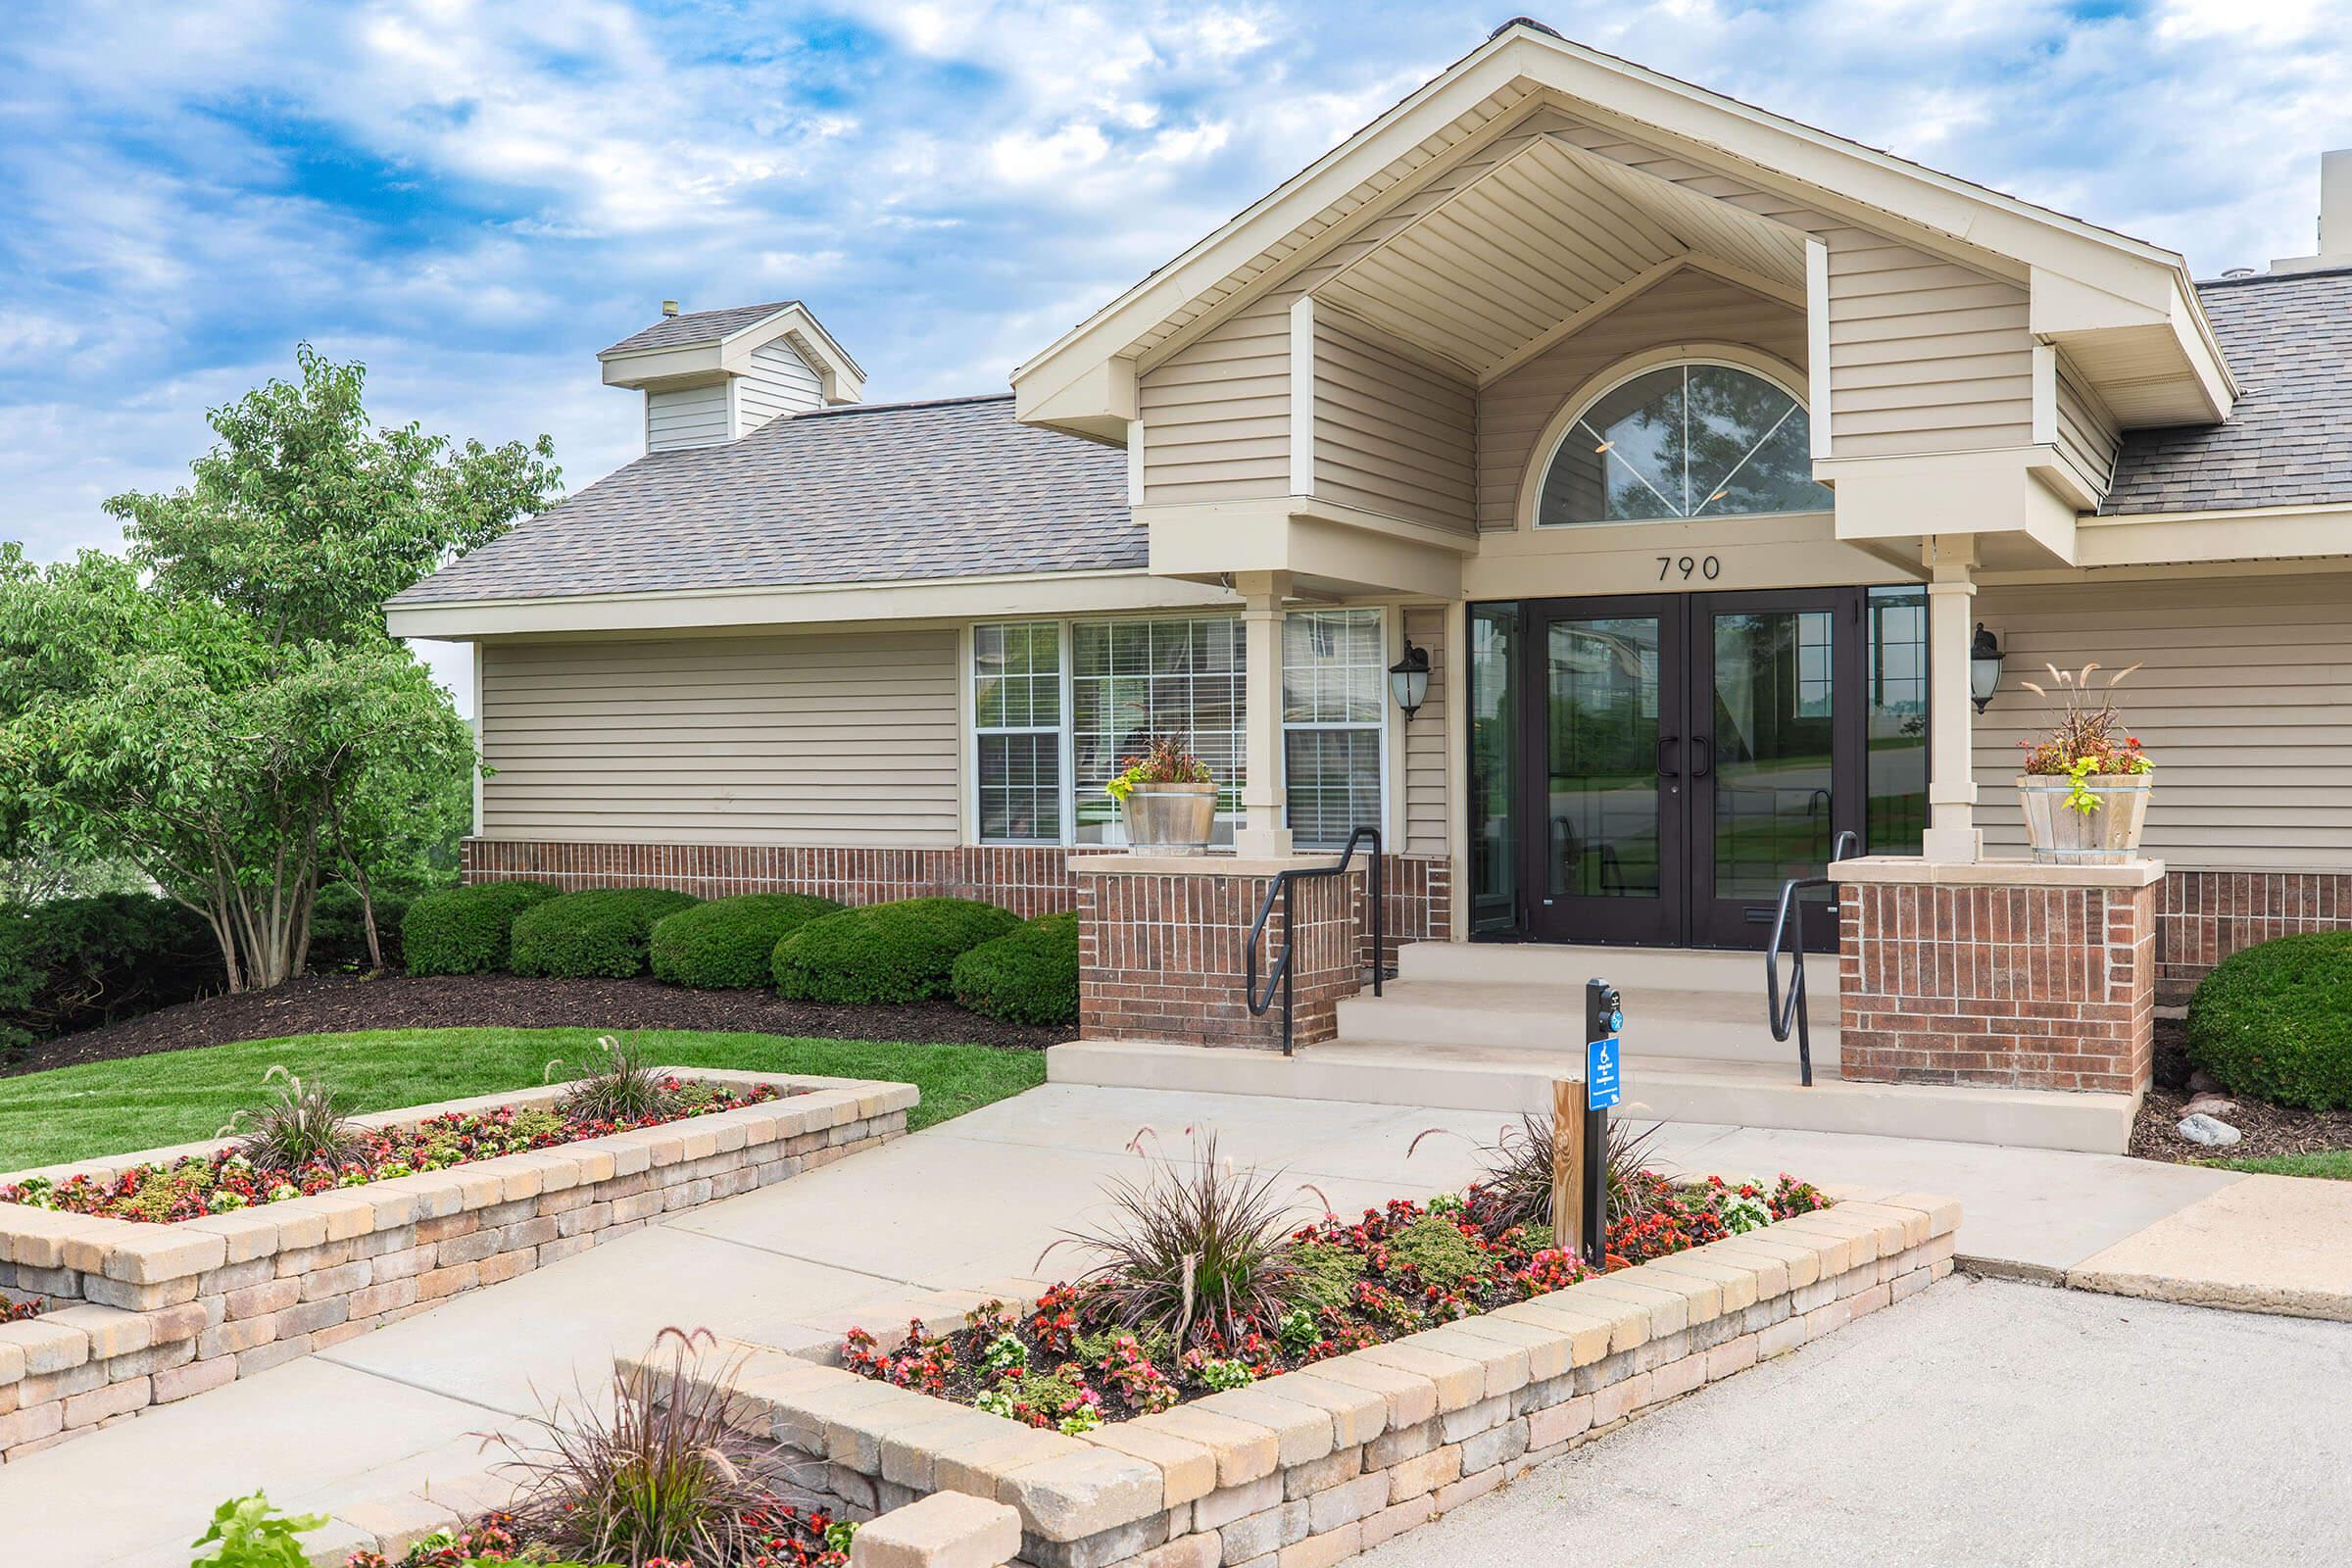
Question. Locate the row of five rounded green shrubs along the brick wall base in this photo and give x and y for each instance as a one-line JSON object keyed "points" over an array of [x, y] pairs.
{"points": [[810, 949]]}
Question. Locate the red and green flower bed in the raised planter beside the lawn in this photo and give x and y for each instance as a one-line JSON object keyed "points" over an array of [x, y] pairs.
{"points": [[227, 1181]]}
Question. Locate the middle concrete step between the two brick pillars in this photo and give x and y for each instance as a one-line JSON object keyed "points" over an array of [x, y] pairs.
{"points": [[1539, 1017]]}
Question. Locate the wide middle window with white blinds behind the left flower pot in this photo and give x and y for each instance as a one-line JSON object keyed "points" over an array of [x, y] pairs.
{"points": [[1135, 683]]}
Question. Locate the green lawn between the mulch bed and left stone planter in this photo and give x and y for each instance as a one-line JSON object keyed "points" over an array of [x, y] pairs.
{"points": [[180, 1097]]}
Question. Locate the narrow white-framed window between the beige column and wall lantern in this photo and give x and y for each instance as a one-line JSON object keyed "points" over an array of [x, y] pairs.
{"points": [[1335, 676]]}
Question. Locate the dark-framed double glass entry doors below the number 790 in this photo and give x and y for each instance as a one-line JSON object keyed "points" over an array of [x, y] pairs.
{"points": [[1681, 758]]}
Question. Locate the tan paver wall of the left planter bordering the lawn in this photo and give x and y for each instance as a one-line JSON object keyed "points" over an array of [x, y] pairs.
{"points": [[147, 1315]]}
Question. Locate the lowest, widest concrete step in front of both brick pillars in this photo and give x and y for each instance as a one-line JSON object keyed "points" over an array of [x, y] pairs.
{"points": [[1657, 1090]]}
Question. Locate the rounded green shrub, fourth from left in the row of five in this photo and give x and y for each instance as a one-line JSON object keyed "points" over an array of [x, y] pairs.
{"points": [[888, 951]]}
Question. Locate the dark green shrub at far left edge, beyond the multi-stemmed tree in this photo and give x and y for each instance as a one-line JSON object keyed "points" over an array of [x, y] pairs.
{"points": [[79, 963]]}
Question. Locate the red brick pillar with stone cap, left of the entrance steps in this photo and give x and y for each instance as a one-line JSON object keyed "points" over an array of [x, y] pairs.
{"points": [[1163, 939]]}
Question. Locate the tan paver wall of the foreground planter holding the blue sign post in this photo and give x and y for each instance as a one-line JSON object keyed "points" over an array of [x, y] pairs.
{"points": [[1316, 1466]]}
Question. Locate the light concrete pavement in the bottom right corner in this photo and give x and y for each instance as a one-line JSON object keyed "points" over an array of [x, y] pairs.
{"points": [[1977, 1423]]}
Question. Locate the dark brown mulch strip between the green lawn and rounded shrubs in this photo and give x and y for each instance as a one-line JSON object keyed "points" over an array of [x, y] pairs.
{"points": [[340, 1005]]}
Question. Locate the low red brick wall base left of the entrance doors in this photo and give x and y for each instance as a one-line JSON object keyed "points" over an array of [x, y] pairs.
{"points": [[1027, 880]]}
